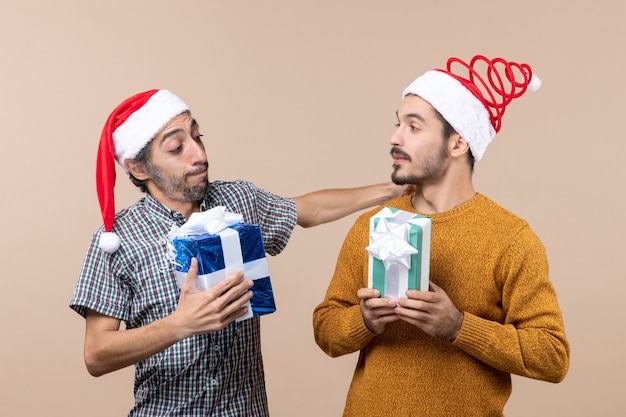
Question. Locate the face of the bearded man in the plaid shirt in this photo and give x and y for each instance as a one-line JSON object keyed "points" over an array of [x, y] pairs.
{"points": [[178, 167]]}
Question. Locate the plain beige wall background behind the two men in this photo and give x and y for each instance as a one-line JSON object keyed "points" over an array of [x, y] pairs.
{"points": [[297, 96]]}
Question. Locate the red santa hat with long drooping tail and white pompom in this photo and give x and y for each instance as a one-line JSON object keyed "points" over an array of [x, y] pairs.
{"points": [[129, 128]]}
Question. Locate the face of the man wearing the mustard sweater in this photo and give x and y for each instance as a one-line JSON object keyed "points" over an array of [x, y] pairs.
{"points": [[419, 151]]}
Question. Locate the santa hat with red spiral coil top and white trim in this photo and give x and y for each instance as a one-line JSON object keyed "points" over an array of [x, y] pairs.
{"points": [[472, 103]]}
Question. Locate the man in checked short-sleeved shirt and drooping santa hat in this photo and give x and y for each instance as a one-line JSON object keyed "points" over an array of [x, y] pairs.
{"points": [[192, 358]]}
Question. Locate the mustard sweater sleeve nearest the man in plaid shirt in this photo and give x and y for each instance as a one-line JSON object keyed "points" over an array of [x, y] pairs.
{"points": [[337, 321]]}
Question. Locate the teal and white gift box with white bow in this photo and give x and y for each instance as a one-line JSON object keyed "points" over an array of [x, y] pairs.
{"points": [[399, 252]]}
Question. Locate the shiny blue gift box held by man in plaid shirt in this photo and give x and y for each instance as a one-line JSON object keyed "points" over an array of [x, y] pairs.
{"points": [[221, 254]]}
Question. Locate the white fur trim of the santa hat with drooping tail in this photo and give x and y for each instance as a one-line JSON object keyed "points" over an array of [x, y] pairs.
{"points": [[144, 124]]}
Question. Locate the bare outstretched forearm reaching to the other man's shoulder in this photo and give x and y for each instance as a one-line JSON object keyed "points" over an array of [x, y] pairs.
{"points": [[324, 206]]}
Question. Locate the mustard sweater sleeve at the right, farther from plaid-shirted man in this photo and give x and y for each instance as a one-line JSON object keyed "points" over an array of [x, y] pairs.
{"points": [[531, 341]]}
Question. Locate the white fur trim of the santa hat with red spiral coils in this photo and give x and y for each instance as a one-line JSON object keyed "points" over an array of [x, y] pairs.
{"points": [[465, 113]]}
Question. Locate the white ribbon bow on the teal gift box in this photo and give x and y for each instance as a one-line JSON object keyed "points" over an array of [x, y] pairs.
{"points": [[389, 243]]}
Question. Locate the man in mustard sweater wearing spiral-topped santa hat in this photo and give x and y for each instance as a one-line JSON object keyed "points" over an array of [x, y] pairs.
{"points": [[491, 310]]}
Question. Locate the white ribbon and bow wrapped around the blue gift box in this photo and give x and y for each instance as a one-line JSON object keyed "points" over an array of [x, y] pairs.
{"points": [[216, 221]]}
